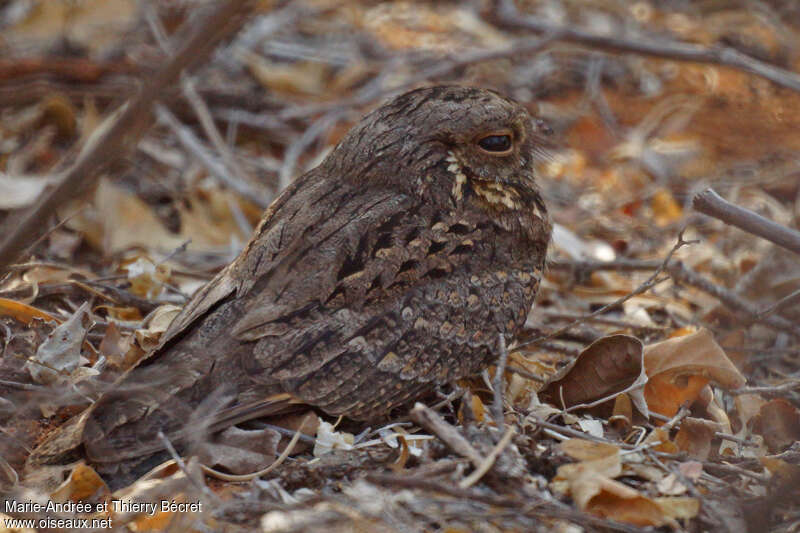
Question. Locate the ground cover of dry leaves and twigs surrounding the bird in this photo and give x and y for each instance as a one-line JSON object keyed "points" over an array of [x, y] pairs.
{"points": [[668, 409]]}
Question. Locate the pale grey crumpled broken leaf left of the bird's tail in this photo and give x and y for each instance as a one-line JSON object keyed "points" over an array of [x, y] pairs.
{"points": [[60, 354]]}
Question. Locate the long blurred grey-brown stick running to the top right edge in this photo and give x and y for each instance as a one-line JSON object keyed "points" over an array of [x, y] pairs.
{"points": [[508, 15]]}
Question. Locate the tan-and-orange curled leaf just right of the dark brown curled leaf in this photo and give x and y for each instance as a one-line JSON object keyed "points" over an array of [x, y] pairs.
{"points": [[680, 367]]}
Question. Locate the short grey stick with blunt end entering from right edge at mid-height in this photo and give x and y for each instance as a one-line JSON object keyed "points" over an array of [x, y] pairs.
{"points": [[710, 203]]}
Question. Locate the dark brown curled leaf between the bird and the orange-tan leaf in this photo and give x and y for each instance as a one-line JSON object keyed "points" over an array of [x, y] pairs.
{"points": [[608, 367]]}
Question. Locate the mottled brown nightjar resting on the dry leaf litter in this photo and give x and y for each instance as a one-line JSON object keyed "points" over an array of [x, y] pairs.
{"points": [[390, 268]]}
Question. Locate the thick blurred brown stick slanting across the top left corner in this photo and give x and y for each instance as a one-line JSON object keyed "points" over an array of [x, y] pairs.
{"points": [[120, 136]]}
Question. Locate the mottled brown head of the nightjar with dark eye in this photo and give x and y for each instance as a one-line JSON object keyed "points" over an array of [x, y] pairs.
{"points": [[459, 147]]}
